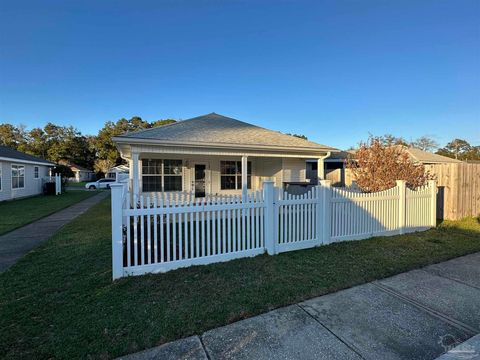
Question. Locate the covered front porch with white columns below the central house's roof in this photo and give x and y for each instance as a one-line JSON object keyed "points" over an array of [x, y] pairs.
{"points": [[156, 171]]}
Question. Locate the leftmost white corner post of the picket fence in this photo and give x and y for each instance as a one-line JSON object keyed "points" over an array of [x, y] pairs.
{"points": [[117, 230]]}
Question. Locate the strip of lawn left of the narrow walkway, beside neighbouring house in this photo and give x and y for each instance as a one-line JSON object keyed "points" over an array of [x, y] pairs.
{"points": [[17, 213]]}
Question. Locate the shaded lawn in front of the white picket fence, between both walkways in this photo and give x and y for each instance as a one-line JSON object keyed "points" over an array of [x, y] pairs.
{"points": [[59, 300]]}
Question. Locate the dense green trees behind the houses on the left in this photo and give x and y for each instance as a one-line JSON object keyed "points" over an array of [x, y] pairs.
{"points": [[67, 144]]}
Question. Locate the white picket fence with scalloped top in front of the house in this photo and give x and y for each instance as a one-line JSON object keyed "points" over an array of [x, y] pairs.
{"points": [[157, 234]]}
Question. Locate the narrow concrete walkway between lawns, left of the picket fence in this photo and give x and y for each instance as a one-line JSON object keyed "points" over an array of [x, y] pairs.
{"points": [[15, 244]]}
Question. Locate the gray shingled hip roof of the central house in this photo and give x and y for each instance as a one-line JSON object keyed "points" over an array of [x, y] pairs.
{"points": [[217, 129]]}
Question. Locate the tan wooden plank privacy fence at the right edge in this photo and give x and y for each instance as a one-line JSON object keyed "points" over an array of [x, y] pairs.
{"points": [[458, 190]]}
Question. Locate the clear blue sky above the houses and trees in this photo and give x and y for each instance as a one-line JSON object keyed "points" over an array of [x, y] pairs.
{"points": [[333, 70]]}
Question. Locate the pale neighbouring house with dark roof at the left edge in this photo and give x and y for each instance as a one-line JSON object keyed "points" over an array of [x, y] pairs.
{"points": [[21, 174]]}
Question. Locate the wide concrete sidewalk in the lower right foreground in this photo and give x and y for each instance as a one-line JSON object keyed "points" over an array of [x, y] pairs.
{"points": [[420, 314]]}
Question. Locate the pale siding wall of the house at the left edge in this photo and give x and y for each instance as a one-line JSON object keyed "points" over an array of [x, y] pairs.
{"points": [[32, 186]]}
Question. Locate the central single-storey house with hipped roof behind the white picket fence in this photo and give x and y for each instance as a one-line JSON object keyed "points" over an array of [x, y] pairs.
{"points": [[208, 155]]}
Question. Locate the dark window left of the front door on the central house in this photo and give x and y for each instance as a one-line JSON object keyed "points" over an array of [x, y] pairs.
{"points": [[161, 175]]}
